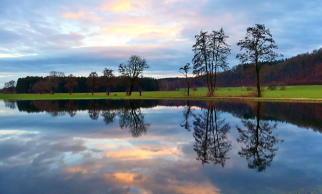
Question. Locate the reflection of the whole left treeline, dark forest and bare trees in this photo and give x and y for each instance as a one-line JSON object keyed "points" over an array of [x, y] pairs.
{"points": [[129, 113]]}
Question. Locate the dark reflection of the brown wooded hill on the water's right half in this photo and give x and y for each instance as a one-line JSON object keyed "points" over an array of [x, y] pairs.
{"points": [[300, 114]]}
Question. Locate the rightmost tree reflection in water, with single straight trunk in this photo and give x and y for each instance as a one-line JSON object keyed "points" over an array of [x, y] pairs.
{"points": [[259, 143]]}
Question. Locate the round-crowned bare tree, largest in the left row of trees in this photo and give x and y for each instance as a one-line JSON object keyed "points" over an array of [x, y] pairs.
{"points": [[132, 71]]}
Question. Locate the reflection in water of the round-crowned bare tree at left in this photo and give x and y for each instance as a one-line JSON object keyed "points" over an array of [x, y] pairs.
{"points": [[132, 118]]}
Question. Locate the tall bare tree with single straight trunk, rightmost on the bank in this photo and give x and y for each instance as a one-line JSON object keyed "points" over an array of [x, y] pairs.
{"points": [[257, 48]]}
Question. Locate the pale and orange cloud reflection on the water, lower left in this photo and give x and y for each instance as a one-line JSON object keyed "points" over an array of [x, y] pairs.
{"points": [[86, 165]]}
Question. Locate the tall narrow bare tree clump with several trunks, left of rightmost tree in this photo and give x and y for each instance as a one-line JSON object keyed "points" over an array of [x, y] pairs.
{"points": [[210, 54]]}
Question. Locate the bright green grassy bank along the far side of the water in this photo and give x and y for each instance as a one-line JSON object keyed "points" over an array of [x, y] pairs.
{"points": [[312, 93]]}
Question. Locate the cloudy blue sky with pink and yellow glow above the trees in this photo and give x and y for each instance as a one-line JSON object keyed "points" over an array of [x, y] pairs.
{"points": [[78, 36]]}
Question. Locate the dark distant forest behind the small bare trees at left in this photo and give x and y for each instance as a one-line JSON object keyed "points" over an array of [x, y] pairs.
{"points": [[38, 84]]}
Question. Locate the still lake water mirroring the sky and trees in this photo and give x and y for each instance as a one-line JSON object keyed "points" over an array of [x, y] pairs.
{"points": [[159, 147]]}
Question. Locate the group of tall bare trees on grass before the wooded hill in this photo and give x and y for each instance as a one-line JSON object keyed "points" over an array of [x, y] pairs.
{"points": [[211, 51]]}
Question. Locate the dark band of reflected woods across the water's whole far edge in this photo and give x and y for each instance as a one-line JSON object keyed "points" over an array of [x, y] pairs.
{"points": [[305, 115]]}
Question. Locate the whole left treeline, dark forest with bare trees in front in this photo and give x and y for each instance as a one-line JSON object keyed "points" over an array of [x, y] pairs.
{"points": [[130, 79]]}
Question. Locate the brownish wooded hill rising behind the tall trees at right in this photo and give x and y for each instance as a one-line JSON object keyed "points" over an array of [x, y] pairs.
{"points": [[303, 69]]}
